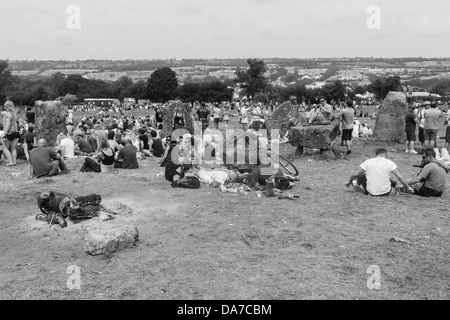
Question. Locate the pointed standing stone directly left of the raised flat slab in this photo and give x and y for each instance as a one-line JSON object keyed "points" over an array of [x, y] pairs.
{"points": [[286, 116]]}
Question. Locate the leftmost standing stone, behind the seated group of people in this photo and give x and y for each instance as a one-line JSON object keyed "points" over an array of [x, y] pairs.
{"points": [[50, 120]]}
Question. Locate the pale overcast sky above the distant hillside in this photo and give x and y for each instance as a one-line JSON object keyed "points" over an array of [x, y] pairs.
{"points": [[151, 29]]}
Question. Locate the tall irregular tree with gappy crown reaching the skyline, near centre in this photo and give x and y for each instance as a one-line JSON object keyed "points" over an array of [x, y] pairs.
{"points": [[253, 79]]}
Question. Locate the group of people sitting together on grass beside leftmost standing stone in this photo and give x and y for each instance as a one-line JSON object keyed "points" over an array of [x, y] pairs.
{"points": [[105, 151]]}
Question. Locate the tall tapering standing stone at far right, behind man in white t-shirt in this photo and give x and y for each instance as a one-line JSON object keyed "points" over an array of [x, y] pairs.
{"points": [[390, 125]]}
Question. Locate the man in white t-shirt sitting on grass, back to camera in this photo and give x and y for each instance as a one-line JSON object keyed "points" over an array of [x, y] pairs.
{"points": [[374, 175]]}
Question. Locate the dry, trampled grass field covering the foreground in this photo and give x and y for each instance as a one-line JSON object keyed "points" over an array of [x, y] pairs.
{"points": [[204, 244]]}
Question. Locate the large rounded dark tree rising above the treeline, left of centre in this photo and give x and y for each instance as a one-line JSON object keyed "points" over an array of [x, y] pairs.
{"points": [[162, 85]]}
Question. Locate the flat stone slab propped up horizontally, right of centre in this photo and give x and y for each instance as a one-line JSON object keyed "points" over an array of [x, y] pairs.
{"points": [[315, 137]]}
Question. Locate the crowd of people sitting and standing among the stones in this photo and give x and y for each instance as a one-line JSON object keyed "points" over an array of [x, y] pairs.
{"points": [[112, 142]]}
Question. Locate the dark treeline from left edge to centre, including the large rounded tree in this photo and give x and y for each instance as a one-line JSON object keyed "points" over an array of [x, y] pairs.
{"points": [[161, 87]]}
